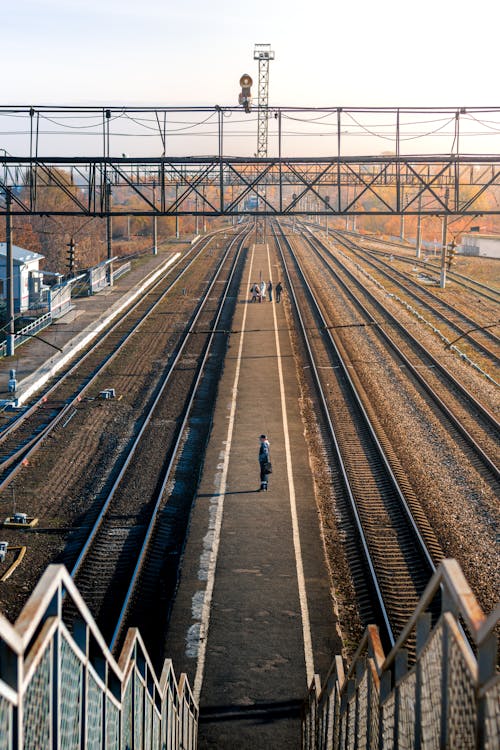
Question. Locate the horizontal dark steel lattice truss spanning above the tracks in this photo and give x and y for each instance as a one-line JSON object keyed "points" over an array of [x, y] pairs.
{"points": [[213, 186]]}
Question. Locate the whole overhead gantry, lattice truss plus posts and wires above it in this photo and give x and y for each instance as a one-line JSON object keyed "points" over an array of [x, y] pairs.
{"points": [[453, 167]]}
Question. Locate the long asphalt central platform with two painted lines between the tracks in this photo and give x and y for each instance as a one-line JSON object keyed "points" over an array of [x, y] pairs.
{"points": [[253, 616]]}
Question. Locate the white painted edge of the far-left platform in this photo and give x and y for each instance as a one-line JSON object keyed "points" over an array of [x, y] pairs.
{"points": [[75, 345]]}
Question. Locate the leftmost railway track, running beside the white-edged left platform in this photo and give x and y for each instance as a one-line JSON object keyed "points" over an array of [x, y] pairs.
{"points": [[22, 437]]}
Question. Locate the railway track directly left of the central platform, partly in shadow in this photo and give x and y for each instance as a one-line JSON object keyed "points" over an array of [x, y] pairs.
{"points": [[117, 549]]}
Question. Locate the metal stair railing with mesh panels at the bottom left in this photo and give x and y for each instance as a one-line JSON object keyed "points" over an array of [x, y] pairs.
{"points": [[88, 691]]}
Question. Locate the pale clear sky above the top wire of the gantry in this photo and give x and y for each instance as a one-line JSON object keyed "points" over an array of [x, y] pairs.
{"points": [[168, 52]]}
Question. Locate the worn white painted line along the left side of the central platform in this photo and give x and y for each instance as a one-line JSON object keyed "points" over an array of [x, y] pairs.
{"points": [[208, 562]]}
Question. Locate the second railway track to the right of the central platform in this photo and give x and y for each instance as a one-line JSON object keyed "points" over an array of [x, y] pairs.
{"points": [[477, 428]]}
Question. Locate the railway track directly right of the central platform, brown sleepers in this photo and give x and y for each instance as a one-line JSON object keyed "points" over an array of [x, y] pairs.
{"points": [[393, 537]]}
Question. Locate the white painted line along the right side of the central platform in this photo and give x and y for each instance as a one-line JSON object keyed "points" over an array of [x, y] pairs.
{"points": [[304, 609]]}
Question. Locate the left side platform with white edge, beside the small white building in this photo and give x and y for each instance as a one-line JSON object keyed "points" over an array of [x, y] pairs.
{"points": [[35, 359]]}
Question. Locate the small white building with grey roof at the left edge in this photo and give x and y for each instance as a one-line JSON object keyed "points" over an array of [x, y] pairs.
{"points": [[27, 276]]}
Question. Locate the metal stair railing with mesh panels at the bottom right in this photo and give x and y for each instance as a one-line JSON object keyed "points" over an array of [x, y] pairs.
{"points": [[385, 705]]}
